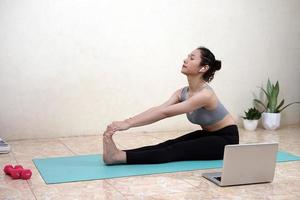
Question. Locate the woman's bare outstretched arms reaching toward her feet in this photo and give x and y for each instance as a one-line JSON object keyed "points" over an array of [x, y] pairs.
{"points": [[168, 109]]}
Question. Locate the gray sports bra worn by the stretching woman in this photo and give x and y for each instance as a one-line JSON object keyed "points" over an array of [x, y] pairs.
{"points": [[202, 116]]}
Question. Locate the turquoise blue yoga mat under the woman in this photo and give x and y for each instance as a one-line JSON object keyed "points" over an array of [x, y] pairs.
{"points": [[91, 167]]}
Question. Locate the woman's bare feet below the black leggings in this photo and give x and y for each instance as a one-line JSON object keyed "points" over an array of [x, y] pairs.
{"points": [[111, 154]]}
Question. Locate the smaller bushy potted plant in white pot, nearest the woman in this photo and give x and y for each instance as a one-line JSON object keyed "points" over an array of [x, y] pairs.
{"points": [[251, 119]]}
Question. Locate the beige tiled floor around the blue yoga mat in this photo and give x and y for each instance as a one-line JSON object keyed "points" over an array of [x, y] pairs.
{"points": [[183, 185]]}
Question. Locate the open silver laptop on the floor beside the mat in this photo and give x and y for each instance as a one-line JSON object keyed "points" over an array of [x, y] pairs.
{"points": [[246, 164]]}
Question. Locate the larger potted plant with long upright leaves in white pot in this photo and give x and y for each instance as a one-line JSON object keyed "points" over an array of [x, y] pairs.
{"points": [[271, 114]]}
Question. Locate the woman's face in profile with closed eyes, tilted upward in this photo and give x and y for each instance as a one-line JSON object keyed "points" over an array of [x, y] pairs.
{"points": [[191, 65]]}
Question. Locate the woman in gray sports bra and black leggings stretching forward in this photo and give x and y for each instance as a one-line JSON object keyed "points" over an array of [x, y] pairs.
{"points": [[201, 106]]}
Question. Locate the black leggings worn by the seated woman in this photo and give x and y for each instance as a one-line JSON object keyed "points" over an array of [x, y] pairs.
{"points": [[197, 145]]}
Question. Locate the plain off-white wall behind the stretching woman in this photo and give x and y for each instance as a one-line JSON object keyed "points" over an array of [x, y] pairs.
{"points": [[70, 67]]}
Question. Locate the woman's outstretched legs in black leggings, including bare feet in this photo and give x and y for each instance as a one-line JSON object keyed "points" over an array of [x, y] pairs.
{"points": [[206, 146]]}
